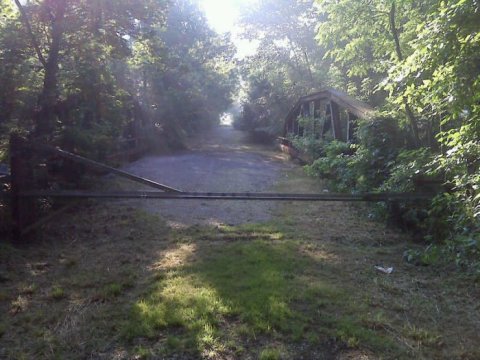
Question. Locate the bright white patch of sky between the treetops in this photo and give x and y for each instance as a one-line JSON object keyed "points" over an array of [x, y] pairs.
{"points": [[223, 15]]}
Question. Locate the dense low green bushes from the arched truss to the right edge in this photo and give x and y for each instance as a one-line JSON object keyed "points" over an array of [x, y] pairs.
{"points": [[382, 162]]}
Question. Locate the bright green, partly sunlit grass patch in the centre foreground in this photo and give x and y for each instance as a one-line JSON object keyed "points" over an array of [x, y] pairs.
{"points": [[251, 282]]}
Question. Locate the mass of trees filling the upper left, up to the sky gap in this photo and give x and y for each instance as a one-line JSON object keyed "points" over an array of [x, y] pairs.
{"points": [[116, 69]]}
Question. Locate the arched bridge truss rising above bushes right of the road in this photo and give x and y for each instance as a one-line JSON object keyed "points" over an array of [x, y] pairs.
{"points": [[329, 114]]}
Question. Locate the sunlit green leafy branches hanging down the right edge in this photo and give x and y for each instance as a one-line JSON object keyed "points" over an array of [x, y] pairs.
{"points": [[441, 80]]}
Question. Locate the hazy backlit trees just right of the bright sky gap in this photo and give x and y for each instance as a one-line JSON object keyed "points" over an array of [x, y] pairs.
{"points": [[287, 65]]}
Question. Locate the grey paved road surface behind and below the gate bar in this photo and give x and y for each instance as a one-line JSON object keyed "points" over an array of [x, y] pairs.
{"points": [[219, 161]]}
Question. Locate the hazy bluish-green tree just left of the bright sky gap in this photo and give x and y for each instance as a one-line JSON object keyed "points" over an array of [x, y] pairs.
{"points": [[194, 77]]}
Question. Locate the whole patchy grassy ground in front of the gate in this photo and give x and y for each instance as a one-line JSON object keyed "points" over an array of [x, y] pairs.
{"points": [[110, 281]]}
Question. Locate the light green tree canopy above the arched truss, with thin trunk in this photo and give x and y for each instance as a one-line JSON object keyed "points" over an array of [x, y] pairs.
{"points": [[367, 38]]}
